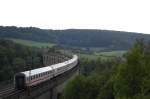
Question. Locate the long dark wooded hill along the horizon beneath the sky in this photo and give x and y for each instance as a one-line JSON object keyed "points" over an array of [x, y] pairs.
{"points": [[75, 37]]}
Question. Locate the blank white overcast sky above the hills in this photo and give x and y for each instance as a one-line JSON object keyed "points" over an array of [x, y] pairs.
{"points": [[121, 15]]}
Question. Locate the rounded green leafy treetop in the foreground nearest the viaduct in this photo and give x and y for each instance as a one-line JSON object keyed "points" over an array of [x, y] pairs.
{"points": [[84, 87]]}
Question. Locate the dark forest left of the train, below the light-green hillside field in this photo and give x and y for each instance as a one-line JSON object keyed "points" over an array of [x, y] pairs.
{"points": [[15, 58]]}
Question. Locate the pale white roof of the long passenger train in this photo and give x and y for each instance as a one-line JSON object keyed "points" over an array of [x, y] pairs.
{"points": [[48, 68]]}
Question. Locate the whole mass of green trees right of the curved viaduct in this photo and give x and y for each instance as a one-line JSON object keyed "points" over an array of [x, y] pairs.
{"points": [[120, 78]]}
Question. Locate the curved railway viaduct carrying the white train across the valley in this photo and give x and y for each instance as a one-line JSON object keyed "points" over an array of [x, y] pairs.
{"points": [[51, 89]]}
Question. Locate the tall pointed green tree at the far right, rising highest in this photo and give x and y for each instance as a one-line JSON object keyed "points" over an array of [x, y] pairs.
{"points": [[132, 73]]}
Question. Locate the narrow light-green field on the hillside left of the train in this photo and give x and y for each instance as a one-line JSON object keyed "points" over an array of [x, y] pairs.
{"points": [[32, 43]]}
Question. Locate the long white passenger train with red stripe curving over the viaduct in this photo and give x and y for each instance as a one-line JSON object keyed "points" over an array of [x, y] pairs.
{"points": [[23, 80]]}
